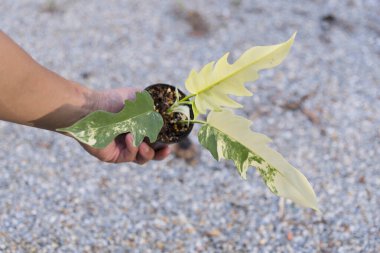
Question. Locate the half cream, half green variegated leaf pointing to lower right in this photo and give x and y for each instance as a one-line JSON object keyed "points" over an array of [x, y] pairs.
{"points": [[229, 136]]}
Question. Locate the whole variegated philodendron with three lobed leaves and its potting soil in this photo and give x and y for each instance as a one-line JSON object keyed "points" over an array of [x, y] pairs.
{"points": [[155, 112]]}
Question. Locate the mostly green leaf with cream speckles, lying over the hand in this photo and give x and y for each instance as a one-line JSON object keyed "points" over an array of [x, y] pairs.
{"points": [[100, 128]]}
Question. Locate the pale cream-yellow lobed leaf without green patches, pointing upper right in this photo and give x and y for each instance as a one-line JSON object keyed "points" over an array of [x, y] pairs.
{"points": [[216, 81]]}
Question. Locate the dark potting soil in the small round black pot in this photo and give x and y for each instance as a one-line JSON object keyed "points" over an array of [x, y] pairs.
{"points": [[164, 96]]}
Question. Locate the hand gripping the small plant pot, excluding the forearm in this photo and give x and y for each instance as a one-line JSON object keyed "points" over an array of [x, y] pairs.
{"points": [[122, 149]]}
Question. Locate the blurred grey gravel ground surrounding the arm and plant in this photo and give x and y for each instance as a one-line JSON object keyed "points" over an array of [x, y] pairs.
{"points": [[321, 108]]}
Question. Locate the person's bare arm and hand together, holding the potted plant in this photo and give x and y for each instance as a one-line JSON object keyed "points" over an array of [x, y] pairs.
{"points": [[34, 96]]}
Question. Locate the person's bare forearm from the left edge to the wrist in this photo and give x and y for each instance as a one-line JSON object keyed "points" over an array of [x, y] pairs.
{"points": [[32, 95]]}
